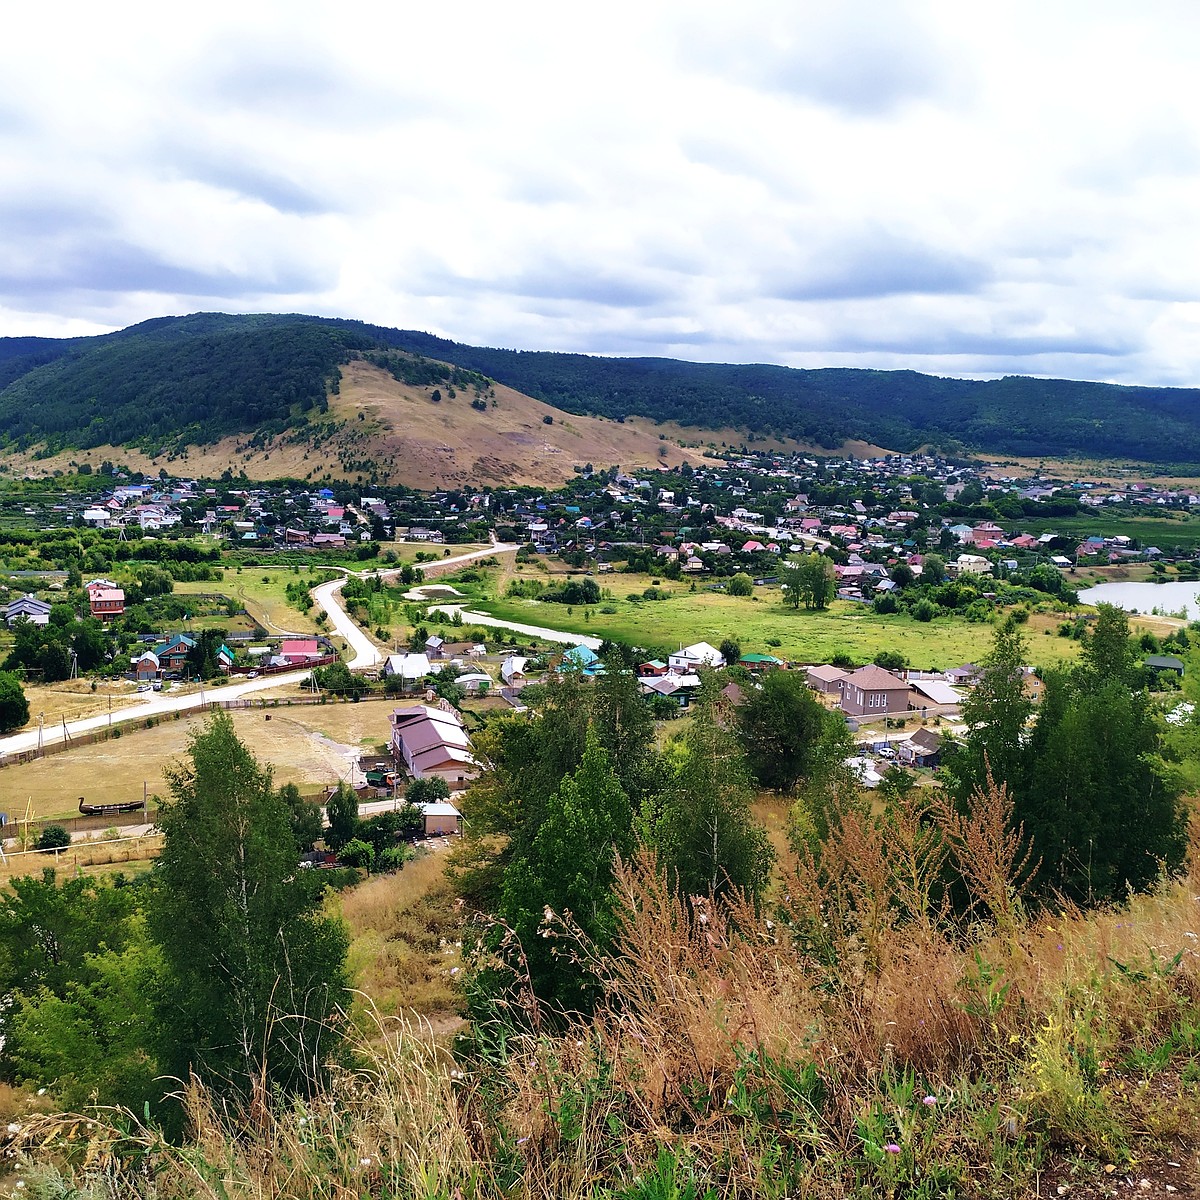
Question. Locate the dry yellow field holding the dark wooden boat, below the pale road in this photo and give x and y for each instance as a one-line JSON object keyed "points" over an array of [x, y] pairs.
{"points": [[309, 746]]}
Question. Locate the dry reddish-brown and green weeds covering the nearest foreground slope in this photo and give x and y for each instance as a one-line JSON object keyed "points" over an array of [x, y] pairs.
{"points": [[850, 1042]]}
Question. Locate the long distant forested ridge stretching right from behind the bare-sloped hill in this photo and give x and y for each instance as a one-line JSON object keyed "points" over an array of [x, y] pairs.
{"points": [[899, 410]]}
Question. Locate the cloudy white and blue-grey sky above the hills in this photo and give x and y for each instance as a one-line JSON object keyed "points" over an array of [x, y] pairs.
{"points": [[951, 188]]}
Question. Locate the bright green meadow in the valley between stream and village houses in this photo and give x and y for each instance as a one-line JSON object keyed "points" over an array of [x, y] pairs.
{"points": [[802, 637]]}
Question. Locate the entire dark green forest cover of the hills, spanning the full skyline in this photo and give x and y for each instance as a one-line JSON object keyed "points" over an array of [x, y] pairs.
{"points": [[194, 380]]}
